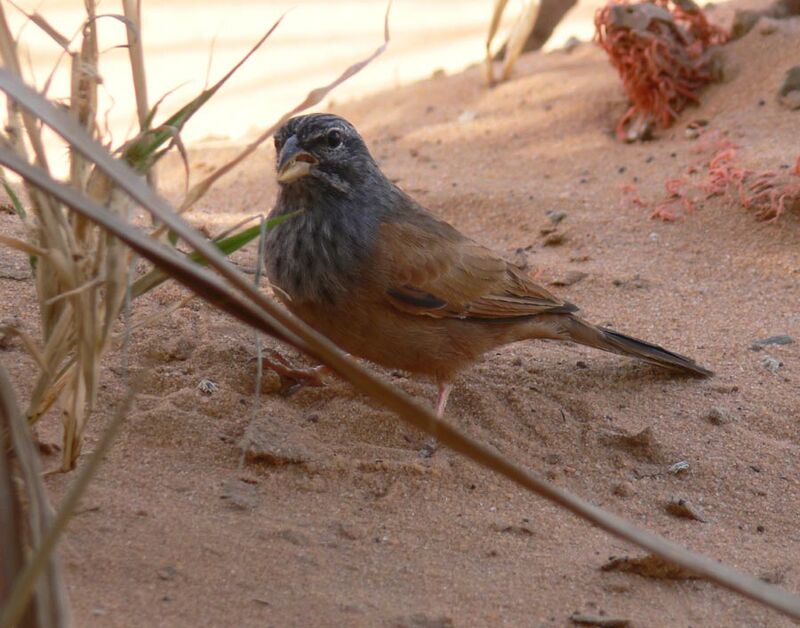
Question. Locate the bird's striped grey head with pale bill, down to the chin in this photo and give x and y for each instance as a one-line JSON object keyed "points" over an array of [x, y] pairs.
{"points": [[321, 152]]}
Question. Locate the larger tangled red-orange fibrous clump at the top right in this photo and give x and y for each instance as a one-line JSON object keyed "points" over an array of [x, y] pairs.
{"points": [[663, 56]]}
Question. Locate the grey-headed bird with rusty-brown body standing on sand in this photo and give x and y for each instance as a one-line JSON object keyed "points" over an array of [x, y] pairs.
{"points": [[363, 263]]}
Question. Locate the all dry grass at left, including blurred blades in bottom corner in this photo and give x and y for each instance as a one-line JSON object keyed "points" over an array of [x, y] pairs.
{"points": [[82, 283]]}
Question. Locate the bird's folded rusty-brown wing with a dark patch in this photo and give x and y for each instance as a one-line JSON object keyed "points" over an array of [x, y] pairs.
{"points": [[438, 272]]}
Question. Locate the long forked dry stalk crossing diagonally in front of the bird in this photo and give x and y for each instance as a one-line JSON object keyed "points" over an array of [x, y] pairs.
{"points": [[234, 293]]}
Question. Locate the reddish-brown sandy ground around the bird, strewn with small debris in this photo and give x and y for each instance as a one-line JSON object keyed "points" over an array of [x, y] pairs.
{"points": [[335, 520]]}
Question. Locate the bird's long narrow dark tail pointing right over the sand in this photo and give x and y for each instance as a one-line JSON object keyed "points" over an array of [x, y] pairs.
{"points": [[585, 333]]}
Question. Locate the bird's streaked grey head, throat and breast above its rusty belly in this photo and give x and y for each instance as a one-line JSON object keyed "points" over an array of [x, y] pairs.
{"points": [[328, 178]]}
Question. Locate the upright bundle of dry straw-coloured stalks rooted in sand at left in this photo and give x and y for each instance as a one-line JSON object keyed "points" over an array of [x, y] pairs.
{"points": [[80, 271]]}
